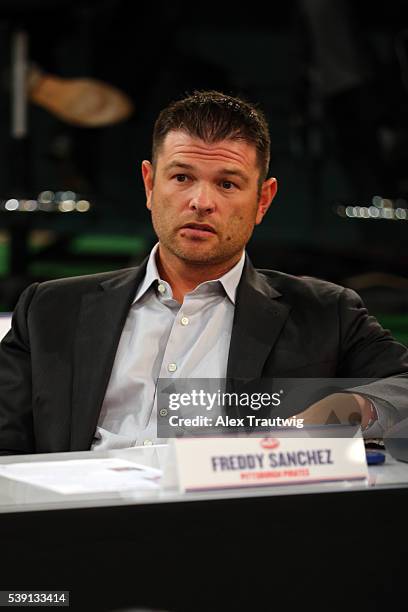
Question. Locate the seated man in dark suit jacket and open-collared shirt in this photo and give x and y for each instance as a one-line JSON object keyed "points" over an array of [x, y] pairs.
{"points": [[78, 369]]}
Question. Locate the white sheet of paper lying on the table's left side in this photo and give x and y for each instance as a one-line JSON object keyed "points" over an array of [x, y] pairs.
{"points": [[84, 475]]}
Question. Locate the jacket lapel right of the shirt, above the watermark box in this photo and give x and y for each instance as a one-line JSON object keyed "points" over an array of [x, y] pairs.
{"points": [[258, 320]]}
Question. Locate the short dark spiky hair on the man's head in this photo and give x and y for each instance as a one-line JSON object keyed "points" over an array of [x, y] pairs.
{"points": [[213, 116]]}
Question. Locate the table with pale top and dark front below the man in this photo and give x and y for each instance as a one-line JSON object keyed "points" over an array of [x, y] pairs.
{"points": [[155, 549]]}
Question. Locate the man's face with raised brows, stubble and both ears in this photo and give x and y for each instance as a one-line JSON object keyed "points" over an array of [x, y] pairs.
{"points": [[204, 198]]}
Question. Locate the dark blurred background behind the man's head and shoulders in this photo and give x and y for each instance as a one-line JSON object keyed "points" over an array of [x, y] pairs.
{"points": [[332, 77]]}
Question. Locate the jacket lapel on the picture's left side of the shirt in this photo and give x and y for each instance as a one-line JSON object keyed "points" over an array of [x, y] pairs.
{"points": [[101, 320]]}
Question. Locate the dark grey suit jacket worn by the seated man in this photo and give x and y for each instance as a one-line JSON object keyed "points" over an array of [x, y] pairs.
{"points": [[56, 361]]}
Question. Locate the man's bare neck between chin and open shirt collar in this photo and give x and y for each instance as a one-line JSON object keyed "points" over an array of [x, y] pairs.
{"points": [[183, 277]]}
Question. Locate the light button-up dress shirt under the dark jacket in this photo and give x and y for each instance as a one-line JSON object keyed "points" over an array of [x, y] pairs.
{"points": [[163, 339]]}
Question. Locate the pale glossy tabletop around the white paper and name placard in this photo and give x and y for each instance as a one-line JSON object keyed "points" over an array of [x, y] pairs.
{"points": [[18, 497]]}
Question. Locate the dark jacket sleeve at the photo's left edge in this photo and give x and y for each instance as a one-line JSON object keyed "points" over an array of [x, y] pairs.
{"points": [[16, 418]]}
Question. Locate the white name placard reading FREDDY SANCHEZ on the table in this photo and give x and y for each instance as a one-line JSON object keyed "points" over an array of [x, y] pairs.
{"points": [[224, 463]]}
